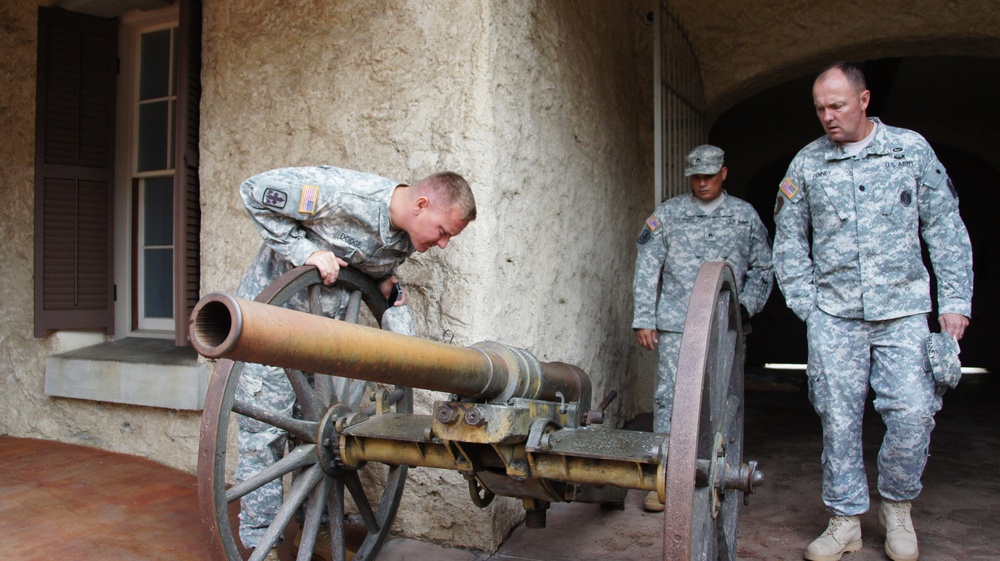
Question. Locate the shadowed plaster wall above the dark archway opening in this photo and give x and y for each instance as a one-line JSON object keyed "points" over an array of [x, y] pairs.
{"points": [[746, 47]]}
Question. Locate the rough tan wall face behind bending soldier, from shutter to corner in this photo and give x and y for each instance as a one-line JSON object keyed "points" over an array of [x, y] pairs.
{"points": [[387, 88]]}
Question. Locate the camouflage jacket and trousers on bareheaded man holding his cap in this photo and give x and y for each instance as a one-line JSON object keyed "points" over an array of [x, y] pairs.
{"points": [[863, 290]]}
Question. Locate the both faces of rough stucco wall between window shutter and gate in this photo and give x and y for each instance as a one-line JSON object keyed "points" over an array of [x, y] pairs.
{"points": [[539, 106]]}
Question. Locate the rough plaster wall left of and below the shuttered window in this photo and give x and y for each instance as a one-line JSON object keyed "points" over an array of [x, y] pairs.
{"points": [[169, 437]]}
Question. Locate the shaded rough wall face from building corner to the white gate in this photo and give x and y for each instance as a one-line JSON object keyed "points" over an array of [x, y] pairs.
{"points": [[575, 161]]}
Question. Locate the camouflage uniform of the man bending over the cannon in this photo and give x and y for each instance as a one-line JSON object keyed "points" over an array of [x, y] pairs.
{"points": [[299, 211]]}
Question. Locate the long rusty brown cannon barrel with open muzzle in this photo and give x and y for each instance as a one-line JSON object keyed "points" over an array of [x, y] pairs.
{"points": [[225, 327]]}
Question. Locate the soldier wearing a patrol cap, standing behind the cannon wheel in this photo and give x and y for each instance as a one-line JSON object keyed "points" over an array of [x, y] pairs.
{"points": [[681, 235]]}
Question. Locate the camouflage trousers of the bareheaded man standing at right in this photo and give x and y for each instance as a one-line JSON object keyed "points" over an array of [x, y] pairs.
{"points": [[846, 356]]}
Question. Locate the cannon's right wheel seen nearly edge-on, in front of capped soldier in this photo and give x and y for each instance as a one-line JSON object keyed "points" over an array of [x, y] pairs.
{"points": [[705, 478]]}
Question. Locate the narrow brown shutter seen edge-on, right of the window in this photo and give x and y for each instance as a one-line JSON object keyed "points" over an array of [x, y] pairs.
{"points": [[187, 209]]}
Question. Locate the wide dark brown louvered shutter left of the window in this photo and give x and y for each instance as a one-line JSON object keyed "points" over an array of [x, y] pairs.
{"points": [[74, 171]]}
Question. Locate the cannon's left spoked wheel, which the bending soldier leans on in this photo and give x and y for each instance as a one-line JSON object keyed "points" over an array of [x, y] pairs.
{"points": [[313, 479]]}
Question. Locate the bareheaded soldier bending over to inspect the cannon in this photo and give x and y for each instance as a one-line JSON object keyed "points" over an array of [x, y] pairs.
{"points": [[331, 218]]}
